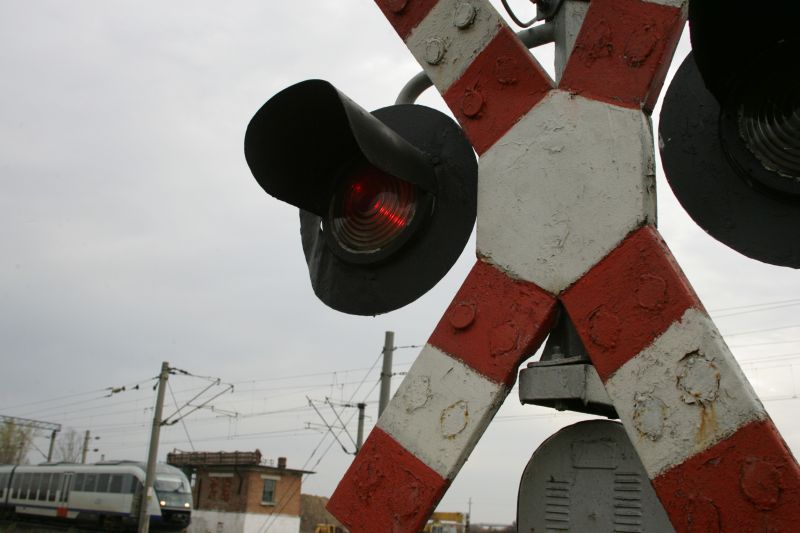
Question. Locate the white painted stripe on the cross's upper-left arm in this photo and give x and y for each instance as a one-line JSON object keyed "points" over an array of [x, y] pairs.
{"points": [[451, 36]]}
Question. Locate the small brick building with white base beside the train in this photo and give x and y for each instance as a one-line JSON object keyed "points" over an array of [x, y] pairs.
{"points": [[236, 492]]}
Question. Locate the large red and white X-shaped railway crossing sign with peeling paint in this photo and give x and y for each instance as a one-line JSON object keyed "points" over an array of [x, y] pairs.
{"points": [[566, 212]]}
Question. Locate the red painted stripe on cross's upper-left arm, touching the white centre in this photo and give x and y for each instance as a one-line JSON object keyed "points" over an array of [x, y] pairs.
{"points": [[502, 84]]}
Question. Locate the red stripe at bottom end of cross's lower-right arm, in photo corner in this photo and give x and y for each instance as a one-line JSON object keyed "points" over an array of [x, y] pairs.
{"points": [[748, 482]]}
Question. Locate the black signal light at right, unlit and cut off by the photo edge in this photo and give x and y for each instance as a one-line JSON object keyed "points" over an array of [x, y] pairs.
{"points": [[730, 127]]}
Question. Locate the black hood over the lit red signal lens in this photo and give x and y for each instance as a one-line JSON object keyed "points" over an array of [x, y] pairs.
{"points": [[304, 138]]}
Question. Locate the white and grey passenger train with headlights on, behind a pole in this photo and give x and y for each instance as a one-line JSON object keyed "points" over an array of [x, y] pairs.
{"points": [[104, 495]]}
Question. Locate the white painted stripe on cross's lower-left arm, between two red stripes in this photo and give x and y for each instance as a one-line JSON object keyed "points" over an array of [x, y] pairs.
{"points": [[441, 410]]}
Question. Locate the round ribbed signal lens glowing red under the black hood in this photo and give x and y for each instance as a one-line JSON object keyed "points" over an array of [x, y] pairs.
{"points": [[371, 209]]}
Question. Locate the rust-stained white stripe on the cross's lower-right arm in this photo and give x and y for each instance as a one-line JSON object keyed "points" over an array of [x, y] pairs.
{"points": [[682, 394]]}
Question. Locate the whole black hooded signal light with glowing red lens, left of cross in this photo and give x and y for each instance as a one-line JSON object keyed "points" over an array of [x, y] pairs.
{"points": [[387, 199]]}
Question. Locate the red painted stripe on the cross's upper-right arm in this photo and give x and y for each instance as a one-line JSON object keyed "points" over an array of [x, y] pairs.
{"points": [[623, 51]]}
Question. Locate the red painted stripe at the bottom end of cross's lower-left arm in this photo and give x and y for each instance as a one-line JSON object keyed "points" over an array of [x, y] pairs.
{"points": [[386, 489]]}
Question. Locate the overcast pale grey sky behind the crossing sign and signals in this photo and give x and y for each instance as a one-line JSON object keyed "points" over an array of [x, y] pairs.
{"points": [[132, 233]]}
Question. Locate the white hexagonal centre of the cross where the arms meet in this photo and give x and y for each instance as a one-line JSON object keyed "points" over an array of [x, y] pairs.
{"points": [[563, 187]]}
